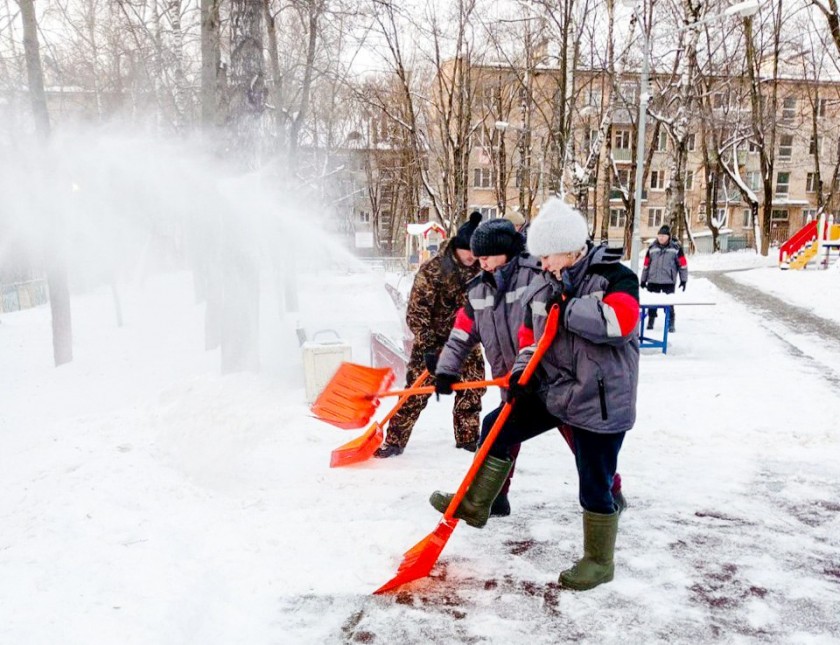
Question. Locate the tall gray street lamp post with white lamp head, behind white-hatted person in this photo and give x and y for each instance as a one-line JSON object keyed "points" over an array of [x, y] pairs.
{"points": [[741, 9]]}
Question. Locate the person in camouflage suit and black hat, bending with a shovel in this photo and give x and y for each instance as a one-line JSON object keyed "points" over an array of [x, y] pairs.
{"points": [[438, 292]]}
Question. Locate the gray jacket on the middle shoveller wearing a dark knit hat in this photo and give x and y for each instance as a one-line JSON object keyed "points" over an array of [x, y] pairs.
{"points": [[493, 316]]}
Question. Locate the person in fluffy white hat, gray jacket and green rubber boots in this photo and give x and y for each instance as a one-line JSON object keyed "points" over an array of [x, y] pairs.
{"points": [[588, 377]]}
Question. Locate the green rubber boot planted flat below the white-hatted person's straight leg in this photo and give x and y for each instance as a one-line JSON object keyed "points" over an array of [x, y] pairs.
{"points": [[597, 566]]}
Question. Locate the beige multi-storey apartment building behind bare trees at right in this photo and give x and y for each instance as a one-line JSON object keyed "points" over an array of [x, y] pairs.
{"points": [[512, 165]]}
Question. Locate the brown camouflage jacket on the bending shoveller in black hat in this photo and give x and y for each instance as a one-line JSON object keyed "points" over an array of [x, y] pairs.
{"points": [[439, 290]]}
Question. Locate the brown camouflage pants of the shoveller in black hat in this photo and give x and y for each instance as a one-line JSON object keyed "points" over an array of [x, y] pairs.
{"points": [[467, 410]]}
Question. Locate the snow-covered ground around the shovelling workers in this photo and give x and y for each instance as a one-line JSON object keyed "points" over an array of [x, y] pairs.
{"points": [[147, 499]]}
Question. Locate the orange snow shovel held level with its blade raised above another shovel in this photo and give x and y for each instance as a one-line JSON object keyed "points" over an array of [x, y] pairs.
{"points": [[351, 397]]}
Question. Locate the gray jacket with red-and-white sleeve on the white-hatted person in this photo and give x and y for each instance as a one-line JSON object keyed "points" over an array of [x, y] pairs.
{"points": [[591, 371]]}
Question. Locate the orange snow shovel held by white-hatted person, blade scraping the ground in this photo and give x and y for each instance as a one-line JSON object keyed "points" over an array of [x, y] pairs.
{"points": [[419, 559]]}
